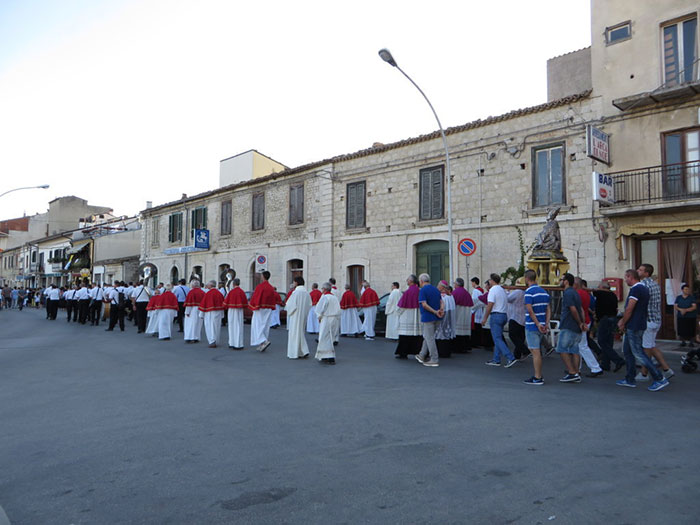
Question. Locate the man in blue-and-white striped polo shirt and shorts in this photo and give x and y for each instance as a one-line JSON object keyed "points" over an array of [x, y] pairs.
{"points": [[536, 323]]}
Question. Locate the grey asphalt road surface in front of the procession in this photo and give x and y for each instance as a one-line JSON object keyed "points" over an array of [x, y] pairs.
{"points": [[117, 427]]}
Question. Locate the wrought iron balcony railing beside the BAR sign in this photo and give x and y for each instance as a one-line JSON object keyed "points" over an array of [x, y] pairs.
{"points": [[668, 182]]}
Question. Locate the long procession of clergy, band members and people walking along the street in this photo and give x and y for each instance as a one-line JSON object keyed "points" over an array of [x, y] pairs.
{"points": [[427, 321]]}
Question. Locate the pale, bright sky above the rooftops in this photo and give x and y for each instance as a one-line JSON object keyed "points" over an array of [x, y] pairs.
{"points": [[123, 102]]}
